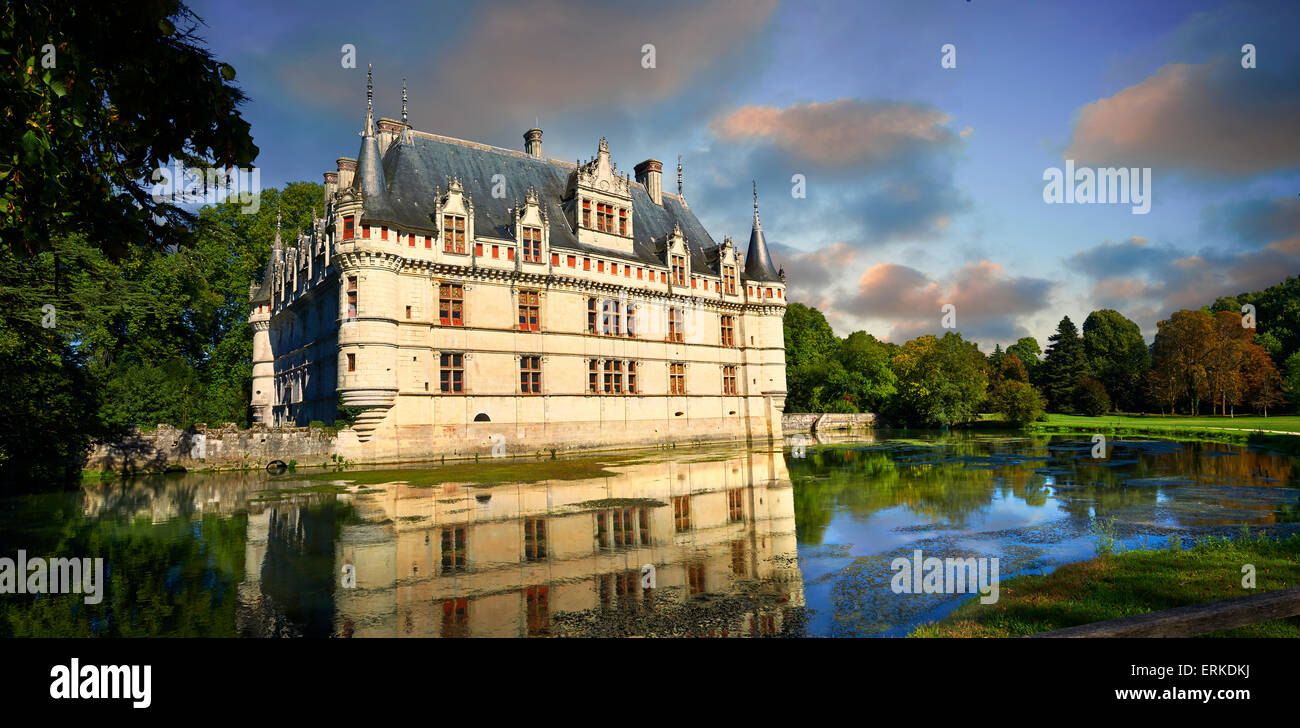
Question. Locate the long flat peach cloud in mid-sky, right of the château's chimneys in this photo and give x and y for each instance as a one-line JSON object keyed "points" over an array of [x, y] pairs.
{"points": [[843, 133]]}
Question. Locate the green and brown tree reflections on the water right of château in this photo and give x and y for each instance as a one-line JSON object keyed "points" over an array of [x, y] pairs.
{"points": [[957, 476]]}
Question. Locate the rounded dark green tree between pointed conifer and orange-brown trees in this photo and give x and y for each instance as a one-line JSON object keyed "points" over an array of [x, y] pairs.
{"points": [[1117, 356]]}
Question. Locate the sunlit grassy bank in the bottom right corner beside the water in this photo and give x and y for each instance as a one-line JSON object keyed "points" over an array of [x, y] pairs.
{"points": [[1133, 583]]}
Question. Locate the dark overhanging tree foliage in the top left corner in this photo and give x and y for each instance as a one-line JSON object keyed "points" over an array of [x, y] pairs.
{"points": [[98, 97]]}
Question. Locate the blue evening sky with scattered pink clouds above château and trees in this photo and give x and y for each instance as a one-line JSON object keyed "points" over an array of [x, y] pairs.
{"points": [[900, 149]]}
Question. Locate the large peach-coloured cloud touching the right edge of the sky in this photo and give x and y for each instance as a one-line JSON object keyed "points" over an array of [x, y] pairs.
{"points": [[1214, 119]]}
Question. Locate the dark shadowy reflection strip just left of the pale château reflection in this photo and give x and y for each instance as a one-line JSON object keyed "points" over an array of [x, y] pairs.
{"points": [[298, 571]]}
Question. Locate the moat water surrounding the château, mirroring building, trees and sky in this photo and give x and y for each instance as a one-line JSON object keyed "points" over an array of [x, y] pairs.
{"points": [[717, 541]]}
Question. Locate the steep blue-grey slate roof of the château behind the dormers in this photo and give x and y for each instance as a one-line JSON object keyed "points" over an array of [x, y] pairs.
{"points": [[417, 164]]}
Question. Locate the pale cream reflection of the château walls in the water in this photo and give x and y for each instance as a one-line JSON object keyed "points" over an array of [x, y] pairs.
{"points": [[566, 557]]}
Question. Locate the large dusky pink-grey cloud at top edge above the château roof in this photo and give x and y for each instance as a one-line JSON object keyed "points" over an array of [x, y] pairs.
{"points": [[523, 59]]}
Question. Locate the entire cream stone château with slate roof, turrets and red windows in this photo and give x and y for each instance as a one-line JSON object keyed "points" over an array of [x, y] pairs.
{"points": [[469, 297]]}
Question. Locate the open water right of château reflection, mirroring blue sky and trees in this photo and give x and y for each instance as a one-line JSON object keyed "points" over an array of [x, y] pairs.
{"points": [[1032, 514]]}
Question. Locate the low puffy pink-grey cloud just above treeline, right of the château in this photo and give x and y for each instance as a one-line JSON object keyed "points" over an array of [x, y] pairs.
{"points": [[989, 302]]}
